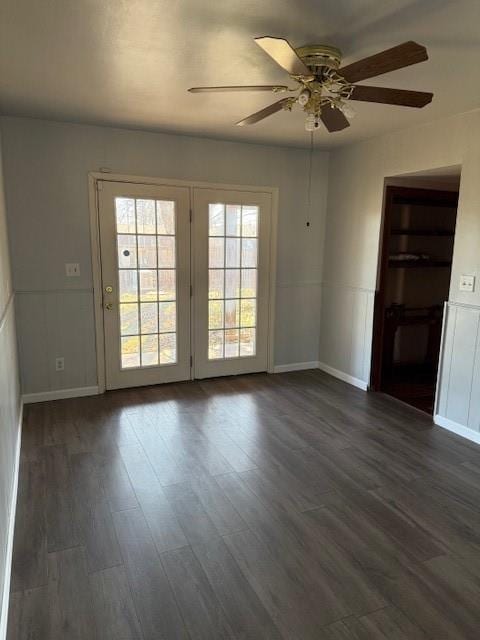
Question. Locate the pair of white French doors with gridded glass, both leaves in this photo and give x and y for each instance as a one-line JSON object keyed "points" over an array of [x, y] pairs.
{"points": [[183, 299]]}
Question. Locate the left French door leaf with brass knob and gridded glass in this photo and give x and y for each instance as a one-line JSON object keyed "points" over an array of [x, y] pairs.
{"points": [[145, 247]]}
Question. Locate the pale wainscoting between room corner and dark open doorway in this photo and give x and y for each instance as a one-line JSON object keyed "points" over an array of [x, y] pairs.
{"points": [[346, 330]]}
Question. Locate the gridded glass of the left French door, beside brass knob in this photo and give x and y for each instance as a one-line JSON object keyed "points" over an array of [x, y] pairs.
{"points": [[147, 282]]}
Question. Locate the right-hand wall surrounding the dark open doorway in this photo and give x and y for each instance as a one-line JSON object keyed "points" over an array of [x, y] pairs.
{"points": [[355, 195]]}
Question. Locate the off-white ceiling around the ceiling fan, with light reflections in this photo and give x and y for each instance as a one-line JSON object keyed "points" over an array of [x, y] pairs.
{"points": [[130, 62]]}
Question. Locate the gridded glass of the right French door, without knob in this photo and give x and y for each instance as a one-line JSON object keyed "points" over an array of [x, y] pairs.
{"points": [[232, 262]]}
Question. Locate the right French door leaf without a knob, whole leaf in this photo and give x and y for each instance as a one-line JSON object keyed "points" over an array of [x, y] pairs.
{"points": [[232, 233]]}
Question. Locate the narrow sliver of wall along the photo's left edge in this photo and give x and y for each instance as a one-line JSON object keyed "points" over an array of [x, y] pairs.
{"points": [[9, 395]]}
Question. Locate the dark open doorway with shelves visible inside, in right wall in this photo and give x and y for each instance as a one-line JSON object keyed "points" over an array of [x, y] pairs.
{"points": [[413, 285]]}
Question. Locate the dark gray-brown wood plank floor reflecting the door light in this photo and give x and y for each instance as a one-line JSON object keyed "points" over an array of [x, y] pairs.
{"points": [[261, 507]]}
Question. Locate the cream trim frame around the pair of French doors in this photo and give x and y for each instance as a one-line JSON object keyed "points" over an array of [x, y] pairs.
{"points": [[94, 177]]}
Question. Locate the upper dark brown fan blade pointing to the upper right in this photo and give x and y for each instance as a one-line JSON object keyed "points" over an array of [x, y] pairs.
{"points": [[396, 58]]}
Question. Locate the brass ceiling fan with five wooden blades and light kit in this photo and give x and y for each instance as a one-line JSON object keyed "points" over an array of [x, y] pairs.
{"points": [[325, 88]]}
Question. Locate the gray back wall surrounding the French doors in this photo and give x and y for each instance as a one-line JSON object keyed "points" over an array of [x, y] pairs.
{"points": [[46, 167]]}
